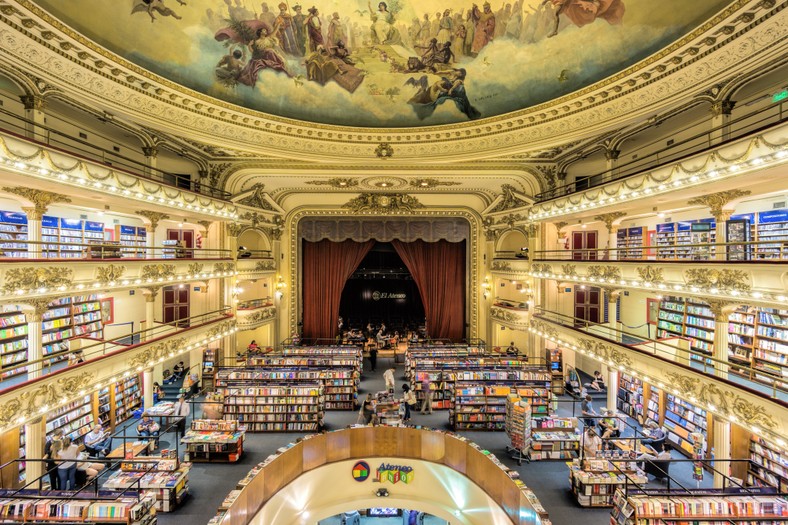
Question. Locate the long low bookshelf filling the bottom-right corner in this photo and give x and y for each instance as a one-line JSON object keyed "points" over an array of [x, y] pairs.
{"points": [[656, 507]]}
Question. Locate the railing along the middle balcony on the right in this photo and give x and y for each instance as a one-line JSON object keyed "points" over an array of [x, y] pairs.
{"points": [[751, 251]]}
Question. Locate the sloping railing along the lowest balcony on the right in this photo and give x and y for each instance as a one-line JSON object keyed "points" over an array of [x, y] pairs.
{"points": [[757, 380]]}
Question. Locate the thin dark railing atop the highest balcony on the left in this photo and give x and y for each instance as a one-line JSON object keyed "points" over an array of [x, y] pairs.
{"points": [[21, 128]]}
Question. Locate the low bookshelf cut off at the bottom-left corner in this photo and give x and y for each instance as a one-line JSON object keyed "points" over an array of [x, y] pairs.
{"points": [[53, 508]]}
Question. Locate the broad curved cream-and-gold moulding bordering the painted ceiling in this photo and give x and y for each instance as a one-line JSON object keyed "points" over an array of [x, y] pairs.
{"points": [[724, 42]]}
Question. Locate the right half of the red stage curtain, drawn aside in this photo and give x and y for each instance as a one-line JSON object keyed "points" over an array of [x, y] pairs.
{"points": [[439, 271]]}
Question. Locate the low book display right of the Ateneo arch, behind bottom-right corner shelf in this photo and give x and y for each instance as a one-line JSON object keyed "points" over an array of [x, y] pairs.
{"points": [[594, 482]]}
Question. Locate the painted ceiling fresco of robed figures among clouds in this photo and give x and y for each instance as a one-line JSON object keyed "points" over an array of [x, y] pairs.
{"points": [[401, 63]]}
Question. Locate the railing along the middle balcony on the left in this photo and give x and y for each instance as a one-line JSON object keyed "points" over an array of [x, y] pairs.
{"points": [[12, 249]]}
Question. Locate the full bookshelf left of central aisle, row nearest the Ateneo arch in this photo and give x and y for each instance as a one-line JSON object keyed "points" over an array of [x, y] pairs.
{"points": [[266, 402]]}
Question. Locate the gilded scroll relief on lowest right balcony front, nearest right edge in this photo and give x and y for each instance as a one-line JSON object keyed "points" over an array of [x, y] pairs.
{"points": [[726, 402]]}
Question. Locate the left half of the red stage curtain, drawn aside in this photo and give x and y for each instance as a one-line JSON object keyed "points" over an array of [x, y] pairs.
{"points": [[327, 267]]}
